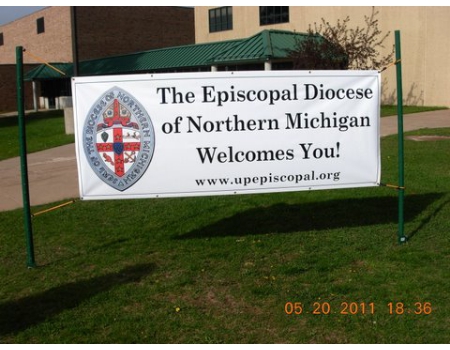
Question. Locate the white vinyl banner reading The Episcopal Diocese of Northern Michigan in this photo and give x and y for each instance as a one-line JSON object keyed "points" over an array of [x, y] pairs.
{"points": [[193, 134]]}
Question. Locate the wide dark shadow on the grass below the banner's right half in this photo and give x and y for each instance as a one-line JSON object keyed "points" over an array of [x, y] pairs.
{"points": [[334, 214]]}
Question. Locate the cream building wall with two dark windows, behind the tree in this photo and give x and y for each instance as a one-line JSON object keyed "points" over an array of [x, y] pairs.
{"points": [[424, 31]]}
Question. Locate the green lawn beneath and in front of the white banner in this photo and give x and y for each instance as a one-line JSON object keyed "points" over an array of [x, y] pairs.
{"points": [[226, 269]]}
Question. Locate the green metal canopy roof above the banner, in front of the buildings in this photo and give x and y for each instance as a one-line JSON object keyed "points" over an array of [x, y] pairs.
{"points": [[268, 44]]}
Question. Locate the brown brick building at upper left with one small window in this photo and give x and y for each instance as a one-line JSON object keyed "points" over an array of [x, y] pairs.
{"points": [[47, 35]]}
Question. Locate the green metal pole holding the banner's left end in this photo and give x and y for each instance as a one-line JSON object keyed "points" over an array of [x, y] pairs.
{"points": [[23, 159]]}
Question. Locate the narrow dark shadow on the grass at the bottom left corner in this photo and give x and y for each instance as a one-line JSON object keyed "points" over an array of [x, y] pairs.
{"points": [[16, 316]]}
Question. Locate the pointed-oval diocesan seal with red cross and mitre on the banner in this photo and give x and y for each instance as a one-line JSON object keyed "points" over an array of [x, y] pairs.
{"points": [[119, 139]]}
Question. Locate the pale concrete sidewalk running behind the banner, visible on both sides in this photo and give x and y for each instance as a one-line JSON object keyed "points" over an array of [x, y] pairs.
{"points": [[53, 173]]}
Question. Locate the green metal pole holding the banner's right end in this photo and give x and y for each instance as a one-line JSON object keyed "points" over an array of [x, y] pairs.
{"points": [[401, 155]]}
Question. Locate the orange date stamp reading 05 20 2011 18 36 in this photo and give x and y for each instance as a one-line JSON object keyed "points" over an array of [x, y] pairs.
{"points": [[357, 308]]}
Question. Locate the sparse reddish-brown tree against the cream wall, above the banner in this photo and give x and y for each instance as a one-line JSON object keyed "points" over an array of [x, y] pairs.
{"points": [[361, 46]]}
